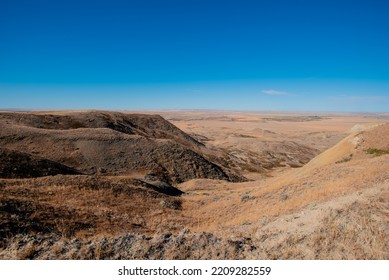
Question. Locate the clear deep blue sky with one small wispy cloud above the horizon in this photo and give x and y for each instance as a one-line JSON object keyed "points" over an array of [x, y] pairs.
{"points": [[226, 55]]}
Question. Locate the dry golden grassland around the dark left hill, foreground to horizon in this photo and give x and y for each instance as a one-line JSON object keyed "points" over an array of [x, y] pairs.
{"points": [[283, 213]]}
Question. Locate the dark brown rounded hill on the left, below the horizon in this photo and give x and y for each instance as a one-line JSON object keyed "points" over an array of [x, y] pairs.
{"points": [[112, 144]]}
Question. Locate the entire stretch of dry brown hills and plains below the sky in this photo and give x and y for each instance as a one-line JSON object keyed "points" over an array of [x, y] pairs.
{"points": [[207, 185]]}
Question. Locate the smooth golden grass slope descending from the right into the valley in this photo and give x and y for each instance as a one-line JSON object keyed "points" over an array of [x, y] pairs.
{"points": [[219, 204]]}
